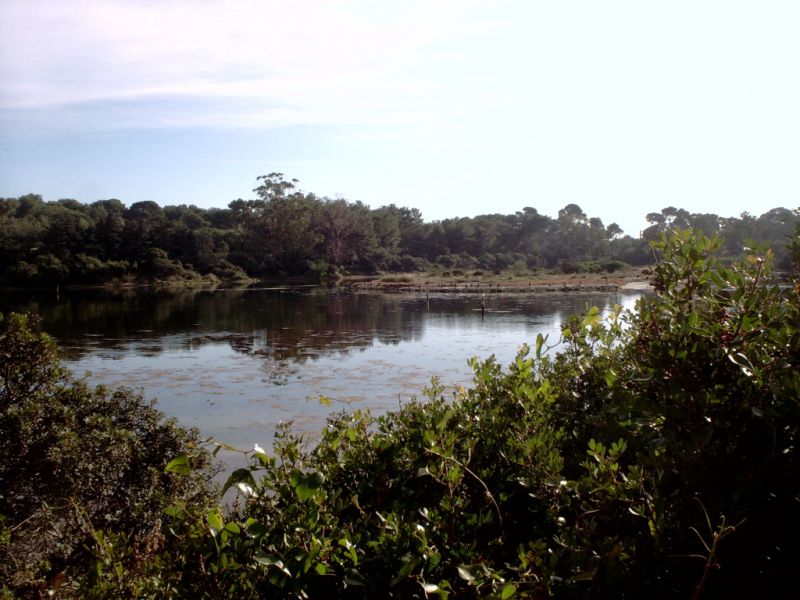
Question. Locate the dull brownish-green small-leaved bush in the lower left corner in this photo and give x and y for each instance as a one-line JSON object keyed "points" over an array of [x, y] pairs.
{"points": [[82, 480]]}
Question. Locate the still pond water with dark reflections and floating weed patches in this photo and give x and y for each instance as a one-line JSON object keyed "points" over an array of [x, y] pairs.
{"points": [[234, 363]]}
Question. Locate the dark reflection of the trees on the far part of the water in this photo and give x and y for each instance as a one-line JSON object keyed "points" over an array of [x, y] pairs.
{"points": [[285, 327]]}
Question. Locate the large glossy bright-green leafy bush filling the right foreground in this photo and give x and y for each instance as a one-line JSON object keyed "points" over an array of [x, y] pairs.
{"points": [[655, 456]]}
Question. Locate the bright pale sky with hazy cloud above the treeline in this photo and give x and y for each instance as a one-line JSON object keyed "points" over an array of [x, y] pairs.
{"points": [[455, 107]]}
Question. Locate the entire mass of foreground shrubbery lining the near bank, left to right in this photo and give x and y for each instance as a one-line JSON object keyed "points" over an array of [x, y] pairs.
{"points": [[655, 456]]}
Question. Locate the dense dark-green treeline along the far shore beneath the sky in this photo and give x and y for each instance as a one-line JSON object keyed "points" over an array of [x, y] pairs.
{"points": [[285, 231]]}
